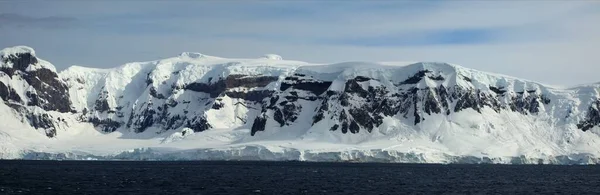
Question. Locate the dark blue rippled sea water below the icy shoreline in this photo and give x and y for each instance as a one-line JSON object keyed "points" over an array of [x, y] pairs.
{"points": [[116, 177]]}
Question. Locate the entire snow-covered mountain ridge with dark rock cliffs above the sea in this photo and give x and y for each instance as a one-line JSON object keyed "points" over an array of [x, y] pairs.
{"points": [[195, 106]]}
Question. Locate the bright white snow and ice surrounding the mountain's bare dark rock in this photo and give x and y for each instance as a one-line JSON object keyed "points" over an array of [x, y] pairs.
{"points": [[549, 137]]}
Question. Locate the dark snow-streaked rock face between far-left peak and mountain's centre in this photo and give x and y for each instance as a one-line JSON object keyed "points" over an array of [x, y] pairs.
{"points": [[157, 110]]}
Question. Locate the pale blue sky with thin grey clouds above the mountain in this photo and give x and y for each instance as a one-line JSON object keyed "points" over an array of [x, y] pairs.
{"points": [[552, 42]]}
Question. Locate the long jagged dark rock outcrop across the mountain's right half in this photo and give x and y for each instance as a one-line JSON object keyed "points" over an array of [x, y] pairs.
{"points": [[364, 102]]}
